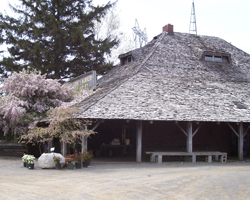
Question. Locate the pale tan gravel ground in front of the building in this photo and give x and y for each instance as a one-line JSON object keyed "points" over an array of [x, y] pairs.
{"points": [[126, 180]]}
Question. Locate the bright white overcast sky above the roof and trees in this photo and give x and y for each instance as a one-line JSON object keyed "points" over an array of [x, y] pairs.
{"points": [[227, 19]]}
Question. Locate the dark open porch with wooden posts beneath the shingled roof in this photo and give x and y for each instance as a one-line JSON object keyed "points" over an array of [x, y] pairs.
{"points": [[168, 136]]}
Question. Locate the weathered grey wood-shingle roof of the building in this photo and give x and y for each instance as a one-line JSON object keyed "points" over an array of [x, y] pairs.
{"points": [[170, 80]]}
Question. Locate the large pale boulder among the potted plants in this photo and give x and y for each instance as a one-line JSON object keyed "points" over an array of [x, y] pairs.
{"points": [[46, 160]]}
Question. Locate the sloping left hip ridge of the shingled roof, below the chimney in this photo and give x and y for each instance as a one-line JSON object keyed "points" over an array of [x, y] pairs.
{"points": [[131, 75]]}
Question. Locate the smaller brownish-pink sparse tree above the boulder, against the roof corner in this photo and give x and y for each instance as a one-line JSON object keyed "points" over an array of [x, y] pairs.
{"points": [[62, 122]]}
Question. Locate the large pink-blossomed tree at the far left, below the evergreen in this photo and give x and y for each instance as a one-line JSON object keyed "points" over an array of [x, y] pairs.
{"points": [[26, 97]]}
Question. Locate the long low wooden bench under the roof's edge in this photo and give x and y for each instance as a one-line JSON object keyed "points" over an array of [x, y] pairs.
{"points": [[156, 156]]}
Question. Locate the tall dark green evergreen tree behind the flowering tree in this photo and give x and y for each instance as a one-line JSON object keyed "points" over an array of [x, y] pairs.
{"points": [[55, 37]]}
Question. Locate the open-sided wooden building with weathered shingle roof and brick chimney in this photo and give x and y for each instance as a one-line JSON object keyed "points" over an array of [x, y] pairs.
{"points": [[179, 93]]}
